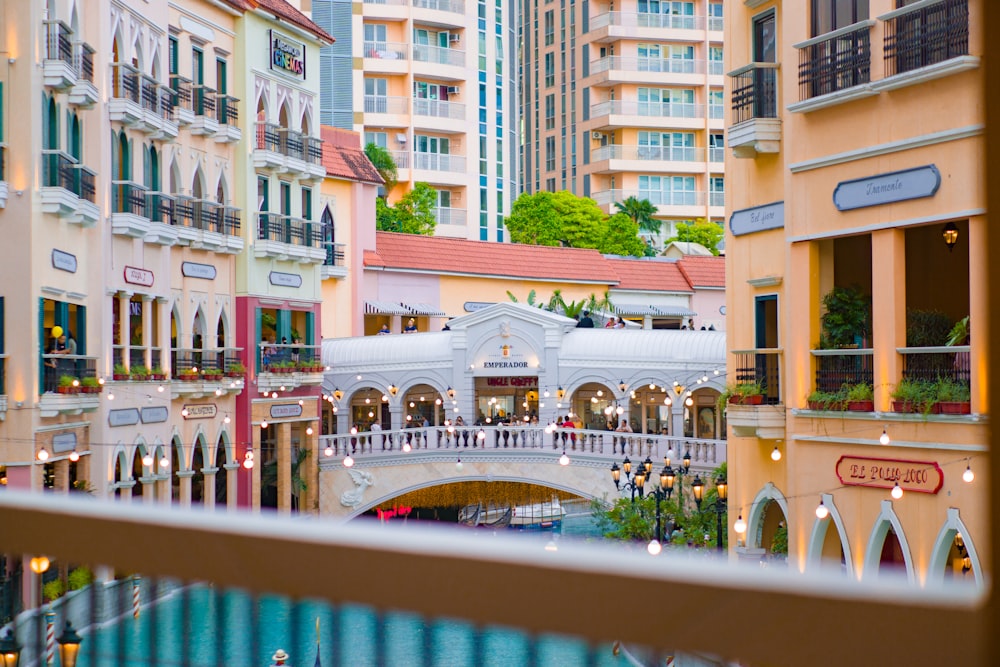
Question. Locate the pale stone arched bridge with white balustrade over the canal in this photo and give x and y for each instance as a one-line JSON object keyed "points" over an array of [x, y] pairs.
{"points": [[386, 464]]}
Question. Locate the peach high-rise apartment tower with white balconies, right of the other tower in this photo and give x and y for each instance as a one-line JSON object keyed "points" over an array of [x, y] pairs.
{"points": [[625, 100]]}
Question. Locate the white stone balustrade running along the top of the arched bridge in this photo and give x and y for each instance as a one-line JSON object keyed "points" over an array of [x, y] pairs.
{"points": [[705, 454]]}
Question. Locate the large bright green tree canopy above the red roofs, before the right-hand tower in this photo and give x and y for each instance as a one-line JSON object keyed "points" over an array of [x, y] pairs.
{"points": [[562, 218]]}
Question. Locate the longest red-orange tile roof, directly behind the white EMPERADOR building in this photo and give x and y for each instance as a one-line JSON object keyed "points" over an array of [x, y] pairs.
{"points": [[513, 260]]}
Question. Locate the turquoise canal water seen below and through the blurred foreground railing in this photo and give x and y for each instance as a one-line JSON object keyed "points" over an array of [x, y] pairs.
{"points": [[220, 629]]}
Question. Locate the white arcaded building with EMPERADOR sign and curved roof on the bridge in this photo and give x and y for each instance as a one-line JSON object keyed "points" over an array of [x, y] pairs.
{"points": [[512, 363]]}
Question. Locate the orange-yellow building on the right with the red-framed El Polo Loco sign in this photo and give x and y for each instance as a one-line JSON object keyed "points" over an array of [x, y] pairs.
{"points": [[855, 251]]}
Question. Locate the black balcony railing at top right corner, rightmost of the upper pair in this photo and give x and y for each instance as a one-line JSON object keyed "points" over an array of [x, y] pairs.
{"points": [[925, 34]]}
